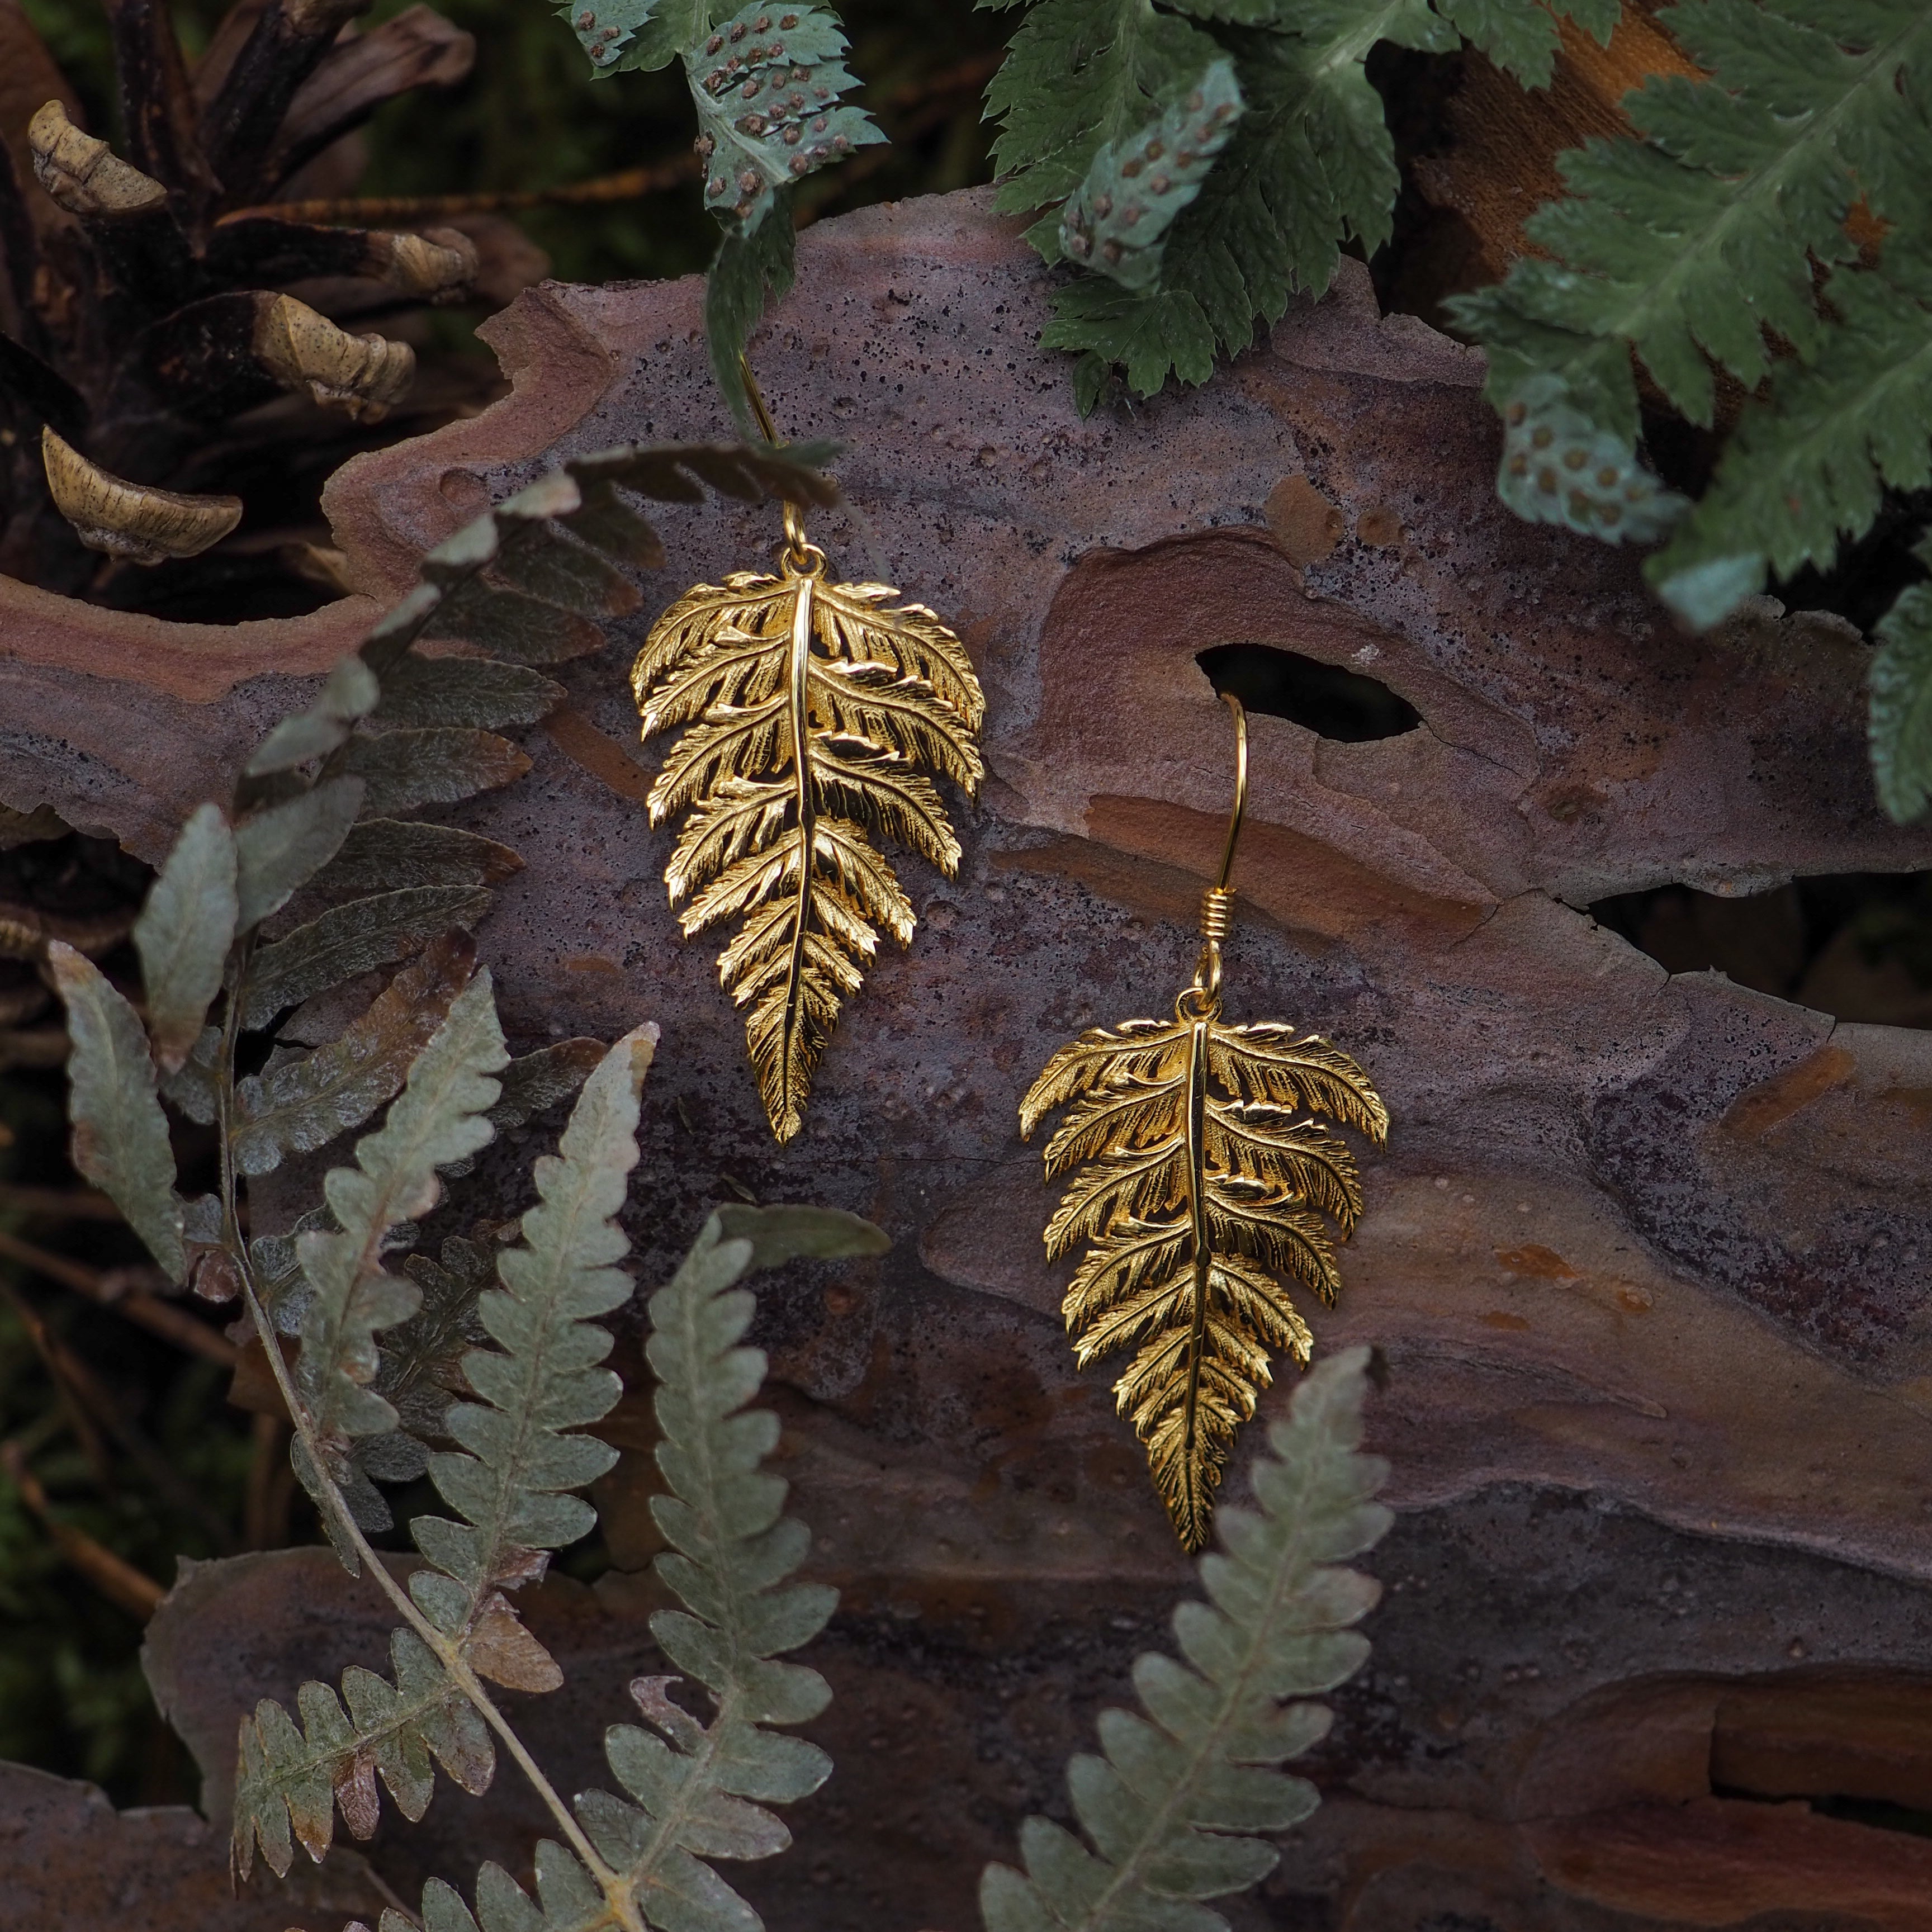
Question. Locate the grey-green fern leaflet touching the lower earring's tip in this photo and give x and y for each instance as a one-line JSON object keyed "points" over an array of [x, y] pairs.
{"points": [[1174, 1809]]}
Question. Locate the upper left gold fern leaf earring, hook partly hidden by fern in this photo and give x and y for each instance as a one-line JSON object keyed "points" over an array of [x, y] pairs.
{"points": [[816, 712]]}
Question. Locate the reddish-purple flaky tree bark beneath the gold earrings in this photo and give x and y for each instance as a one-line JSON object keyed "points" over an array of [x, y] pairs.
{"points": [[1645, 1259]]}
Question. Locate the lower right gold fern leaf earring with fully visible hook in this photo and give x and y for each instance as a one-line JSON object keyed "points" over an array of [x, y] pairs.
{"points": [[1205, 1176]]}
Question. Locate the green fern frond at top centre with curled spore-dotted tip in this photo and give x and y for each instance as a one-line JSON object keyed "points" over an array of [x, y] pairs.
{"points": [[1089, 86]]}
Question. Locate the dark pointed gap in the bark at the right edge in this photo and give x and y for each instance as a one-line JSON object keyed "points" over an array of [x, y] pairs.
{"points": [[1856, 946]]}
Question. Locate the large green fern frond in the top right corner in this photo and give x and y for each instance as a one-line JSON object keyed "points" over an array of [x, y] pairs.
{"points": [[1697, 246]]}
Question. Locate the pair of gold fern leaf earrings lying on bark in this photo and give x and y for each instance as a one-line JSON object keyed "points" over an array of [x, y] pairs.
{"points": [[814, 716]]}
